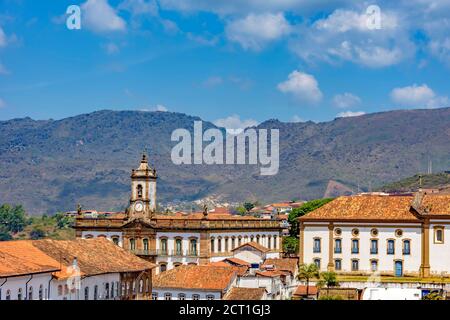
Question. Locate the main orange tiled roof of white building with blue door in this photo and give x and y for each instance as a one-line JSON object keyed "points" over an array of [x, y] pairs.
{"points": [[365, 207]]}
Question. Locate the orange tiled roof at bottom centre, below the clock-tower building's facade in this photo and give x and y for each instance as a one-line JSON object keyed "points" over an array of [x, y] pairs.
{"points": [[198, 277]]}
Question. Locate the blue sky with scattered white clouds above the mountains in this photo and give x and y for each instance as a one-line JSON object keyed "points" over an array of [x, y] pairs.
{"points": [[233, 62]]}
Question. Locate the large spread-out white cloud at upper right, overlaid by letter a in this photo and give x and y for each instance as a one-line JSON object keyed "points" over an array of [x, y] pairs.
{"points": [[345, 36]]}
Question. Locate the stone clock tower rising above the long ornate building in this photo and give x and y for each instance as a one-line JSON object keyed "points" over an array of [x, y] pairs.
{"points": [[143, 191]]}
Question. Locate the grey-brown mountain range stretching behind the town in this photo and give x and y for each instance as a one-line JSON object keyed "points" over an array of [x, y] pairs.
{"points": [[52, 165]]}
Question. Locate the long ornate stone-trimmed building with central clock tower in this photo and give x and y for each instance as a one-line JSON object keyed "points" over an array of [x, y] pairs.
{"points": [[171, 240]]}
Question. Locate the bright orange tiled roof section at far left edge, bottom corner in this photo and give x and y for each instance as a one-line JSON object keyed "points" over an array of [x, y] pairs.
{"points": [[21, 257]]}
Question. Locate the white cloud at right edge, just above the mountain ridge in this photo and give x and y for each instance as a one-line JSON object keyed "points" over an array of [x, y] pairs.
{"points": [[418, 96]]}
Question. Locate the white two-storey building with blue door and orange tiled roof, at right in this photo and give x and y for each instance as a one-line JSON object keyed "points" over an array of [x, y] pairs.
{"points": [[392, 235]]}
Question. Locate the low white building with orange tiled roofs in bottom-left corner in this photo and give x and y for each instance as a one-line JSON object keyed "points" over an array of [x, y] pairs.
{"points": [[79, 269]]}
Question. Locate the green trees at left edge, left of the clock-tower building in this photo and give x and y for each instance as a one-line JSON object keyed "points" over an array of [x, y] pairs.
{"points": [[15, 224]]}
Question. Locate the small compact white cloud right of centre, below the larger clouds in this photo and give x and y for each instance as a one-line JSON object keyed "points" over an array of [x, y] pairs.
{"points": [[302, 86]]}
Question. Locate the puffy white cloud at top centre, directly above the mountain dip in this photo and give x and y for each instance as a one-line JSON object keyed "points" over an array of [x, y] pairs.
{"points": [[256, 30]]}
